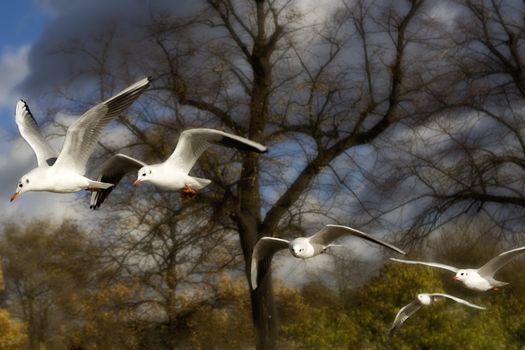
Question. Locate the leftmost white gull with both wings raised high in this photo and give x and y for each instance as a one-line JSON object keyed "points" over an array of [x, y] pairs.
{"points": [[64, 173]]}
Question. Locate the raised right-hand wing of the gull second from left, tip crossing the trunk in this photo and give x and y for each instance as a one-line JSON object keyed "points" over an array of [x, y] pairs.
{"points": [[193, 142]]}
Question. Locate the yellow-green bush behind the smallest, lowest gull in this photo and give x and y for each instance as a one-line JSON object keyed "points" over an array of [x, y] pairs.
{"points": [[445, 325]]}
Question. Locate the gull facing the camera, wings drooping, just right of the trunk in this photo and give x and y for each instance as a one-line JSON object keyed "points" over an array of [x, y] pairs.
{"points": [[302, 247]]}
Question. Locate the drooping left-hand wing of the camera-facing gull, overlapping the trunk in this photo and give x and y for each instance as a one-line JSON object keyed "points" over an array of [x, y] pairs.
{"points": [[262, 256]]}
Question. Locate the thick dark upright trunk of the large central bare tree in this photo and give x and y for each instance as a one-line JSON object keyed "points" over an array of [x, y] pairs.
{"points": [[262, 299]]}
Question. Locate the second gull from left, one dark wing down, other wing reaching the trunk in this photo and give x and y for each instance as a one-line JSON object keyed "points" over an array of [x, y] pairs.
{"points": [[171, 174]]}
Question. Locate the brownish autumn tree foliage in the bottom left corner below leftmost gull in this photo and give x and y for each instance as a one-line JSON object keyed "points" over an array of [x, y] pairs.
{"points": [[57, 284]]}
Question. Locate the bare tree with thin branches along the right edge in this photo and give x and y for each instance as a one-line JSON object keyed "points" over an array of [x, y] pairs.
{"points": [[469, 159]]}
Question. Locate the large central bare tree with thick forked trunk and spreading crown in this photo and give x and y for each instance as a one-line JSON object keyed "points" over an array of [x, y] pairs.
{"points": [[258, 79]]}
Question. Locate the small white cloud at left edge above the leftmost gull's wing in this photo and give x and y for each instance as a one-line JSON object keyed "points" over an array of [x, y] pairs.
{"points": [[14, 68]]}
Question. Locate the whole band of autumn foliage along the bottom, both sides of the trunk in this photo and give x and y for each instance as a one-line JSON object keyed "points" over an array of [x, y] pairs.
{"points": [[58, 283]]}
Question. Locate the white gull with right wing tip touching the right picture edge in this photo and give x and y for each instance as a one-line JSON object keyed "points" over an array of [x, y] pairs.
{"points": [[481, 279]]}
